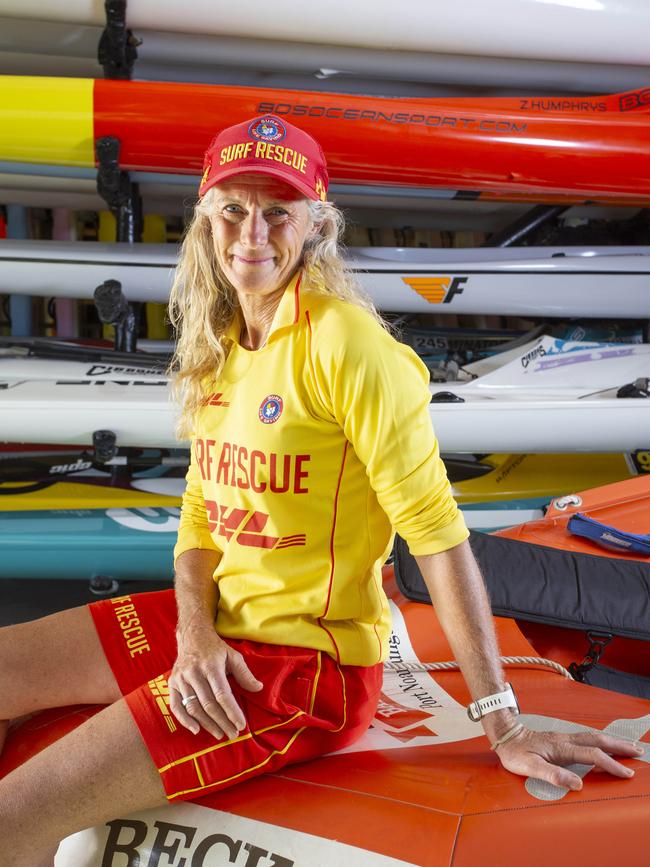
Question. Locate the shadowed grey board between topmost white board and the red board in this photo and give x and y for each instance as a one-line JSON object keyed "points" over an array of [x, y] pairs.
{"points": [[60, 48]]}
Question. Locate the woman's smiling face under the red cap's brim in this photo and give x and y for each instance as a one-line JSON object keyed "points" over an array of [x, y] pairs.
{"points": [[259, 229]]}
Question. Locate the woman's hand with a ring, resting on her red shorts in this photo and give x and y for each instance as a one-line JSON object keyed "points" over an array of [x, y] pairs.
{"points": [[199, 674]]}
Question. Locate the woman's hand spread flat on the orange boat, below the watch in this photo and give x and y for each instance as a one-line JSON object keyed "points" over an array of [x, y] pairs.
{"points": [[542, 755]]}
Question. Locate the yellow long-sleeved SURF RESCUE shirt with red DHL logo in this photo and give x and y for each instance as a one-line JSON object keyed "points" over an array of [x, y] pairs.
{"points": [[308, 455]]}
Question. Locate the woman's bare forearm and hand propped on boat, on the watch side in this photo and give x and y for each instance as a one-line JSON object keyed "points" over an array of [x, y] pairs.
{"points": [[458, 593]]}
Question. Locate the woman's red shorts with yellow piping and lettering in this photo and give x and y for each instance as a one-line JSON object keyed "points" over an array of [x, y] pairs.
{"points": [[309, 705]]}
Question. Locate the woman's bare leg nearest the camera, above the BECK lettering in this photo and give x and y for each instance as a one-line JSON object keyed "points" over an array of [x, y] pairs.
{"points": [[99, 771]]}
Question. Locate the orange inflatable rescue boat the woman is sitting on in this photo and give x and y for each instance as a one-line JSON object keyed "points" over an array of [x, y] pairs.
{"points": [[422, 786]]}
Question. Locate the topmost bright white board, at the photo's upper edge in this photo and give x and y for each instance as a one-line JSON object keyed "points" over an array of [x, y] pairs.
{"points": [[609, 31]]}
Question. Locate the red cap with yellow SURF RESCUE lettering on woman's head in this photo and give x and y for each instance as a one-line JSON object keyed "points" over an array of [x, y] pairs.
{"points": [[270, 146]]}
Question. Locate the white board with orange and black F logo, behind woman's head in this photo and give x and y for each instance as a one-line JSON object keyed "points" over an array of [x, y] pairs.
{"points": [[526, 281]]}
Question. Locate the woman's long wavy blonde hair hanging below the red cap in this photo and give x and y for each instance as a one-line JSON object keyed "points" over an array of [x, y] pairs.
{"points": [[203, 302]]}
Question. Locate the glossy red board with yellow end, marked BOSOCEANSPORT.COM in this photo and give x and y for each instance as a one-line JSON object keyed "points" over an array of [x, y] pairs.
{"points": [[492, 143]]}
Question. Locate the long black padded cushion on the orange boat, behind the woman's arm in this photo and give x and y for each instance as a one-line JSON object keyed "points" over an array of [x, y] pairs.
{"points": [[547, 585]]}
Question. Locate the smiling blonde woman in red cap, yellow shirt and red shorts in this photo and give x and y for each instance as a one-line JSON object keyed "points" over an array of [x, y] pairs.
{"points": [[311, 442]]}
